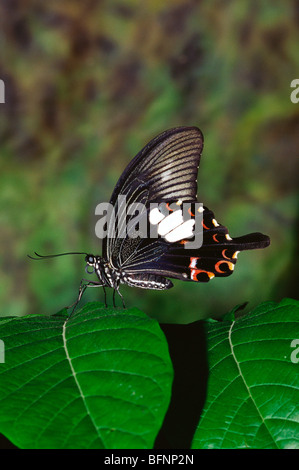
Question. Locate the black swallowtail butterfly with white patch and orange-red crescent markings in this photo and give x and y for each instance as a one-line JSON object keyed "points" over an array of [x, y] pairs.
{"points": [[165, 170]]}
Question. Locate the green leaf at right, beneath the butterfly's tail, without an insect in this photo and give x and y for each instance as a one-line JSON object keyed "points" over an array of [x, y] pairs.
{"points": [[253, 389]]}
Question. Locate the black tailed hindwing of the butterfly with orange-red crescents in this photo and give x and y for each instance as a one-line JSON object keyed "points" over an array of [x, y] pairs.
{"points": [[215, 258]]}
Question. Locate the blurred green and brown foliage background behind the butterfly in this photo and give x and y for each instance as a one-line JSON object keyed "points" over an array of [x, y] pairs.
{"points": [[88, 84]]}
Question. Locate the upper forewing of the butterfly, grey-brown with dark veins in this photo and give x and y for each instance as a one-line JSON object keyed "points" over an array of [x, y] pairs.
{"points": [[165, 169]]}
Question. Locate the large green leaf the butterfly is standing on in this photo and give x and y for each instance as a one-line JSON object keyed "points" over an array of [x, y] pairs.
{"points": [[98, 379]]}
